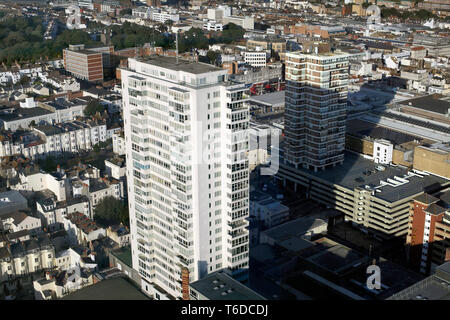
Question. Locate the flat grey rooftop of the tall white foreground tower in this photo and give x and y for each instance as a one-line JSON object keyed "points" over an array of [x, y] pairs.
{"points": [[182, 65]]}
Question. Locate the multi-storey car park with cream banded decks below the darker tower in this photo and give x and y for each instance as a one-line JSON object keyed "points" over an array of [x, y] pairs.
{"points": [[374, 197]]}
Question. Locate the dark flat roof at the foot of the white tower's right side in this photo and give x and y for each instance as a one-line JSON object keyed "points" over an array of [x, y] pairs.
{"points": [[220, 286]]}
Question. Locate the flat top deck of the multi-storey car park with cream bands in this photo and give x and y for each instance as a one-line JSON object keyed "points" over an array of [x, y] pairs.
{"points": [[356, 171]]}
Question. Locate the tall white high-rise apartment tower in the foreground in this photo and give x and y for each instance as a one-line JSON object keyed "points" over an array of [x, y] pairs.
{"points": [[188, 177]]}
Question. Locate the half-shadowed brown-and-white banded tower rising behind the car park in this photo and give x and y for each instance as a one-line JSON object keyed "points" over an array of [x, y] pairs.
{"points": [[316, 104]]}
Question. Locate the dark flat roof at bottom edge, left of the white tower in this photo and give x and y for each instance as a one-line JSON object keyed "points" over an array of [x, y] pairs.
{"points": [[110, 289]]}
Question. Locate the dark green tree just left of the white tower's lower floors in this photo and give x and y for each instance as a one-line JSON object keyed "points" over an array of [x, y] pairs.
{"points": [[110, 211]]}
